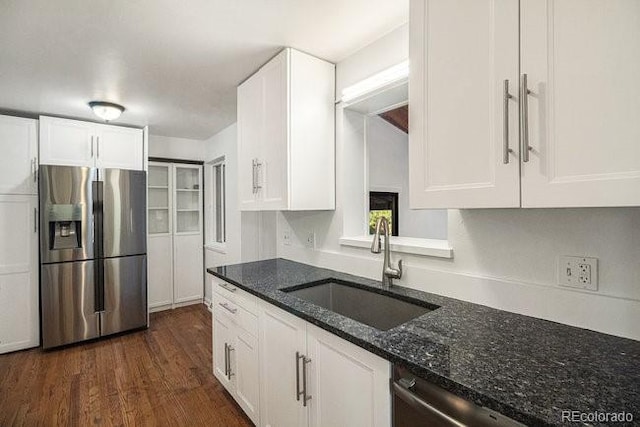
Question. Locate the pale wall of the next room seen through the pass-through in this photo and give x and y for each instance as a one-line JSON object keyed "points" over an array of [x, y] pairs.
{"points": [[388, 153]]}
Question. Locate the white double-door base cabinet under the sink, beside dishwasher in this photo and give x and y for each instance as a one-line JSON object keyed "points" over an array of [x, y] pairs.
{"points": [[345, 385]]}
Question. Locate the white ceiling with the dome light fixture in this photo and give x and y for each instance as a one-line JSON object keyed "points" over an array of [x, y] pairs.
{"points": [[173, 64]]}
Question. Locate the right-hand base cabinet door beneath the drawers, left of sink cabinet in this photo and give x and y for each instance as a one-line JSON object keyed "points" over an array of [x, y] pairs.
{"points": [[246, 372]]}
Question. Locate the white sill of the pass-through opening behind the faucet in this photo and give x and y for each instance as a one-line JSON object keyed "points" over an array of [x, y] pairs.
{"points": [[407, 245]]}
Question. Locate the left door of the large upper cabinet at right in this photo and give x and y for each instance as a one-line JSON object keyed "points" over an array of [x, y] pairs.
{"points": [[457, 110]]}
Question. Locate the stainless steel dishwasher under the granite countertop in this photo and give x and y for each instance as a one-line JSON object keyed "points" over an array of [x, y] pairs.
{"points": [[418, 403]]}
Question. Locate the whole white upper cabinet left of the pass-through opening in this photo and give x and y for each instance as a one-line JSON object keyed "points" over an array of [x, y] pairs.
{"points": [[286, 142]]}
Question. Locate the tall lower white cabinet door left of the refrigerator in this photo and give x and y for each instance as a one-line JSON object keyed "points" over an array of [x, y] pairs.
{"points": [[19, 313]]}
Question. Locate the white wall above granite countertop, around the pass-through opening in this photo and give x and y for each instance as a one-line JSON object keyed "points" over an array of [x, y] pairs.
{"points": [[502, 258]]}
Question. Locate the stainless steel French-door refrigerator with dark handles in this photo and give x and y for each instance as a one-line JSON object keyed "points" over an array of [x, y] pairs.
{"points": [[93, 229]]}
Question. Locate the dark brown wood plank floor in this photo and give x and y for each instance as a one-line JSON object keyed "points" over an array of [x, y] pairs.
{"points": [[161, 376]]}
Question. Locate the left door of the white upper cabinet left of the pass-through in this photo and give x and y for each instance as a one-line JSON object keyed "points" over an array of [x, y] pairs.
{"points": [[250, 129]]}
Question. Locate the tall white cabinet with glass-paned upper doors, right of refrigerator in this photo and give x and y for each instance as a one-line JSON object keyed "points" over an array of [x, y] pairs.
{"points": [[174, 243]]}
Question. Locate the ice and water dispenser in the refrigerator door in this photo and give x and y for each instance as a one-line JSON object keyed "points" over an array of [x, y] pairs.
{"points": [[65, 226]]}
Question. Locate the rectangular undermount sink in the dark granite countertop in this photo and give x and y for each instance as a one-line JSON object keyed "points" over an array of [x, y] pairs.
{"points": [[381, 311]]}
